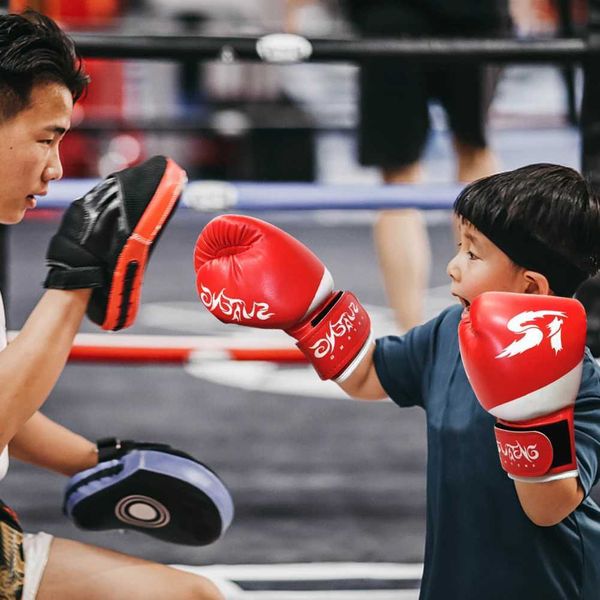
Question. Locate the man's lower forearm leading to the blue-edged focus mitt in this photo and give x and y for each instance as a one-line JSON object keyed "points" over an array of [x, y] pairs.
{"points": [[44, 443]]}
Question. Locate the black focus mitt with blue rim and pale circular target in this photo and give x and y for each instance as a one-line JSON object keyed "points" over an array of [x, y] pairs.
{"points": [[151, 488]]}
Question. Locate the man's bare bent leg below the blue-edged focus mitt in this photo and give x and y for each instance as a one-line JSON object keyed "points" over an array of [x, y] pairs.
{"points": [[78, 571]]}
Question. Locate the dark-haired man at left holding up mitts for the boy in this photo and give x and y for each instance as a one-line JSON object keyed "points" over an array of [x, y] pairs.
{"points": [[40, 79]]}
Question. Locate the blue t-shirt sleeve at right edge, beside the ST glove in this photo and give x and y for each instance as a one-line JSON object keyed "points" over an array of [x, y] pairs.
{"points": [[587, 424]]}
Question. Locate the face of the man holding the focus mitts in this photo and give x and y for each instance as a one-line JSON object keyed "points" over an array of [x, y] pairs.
{"points": [[29, 144]]}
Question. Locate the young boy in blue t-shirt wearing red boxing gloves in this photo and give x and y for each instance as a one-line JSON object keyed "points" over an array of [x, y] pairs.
{"points": [[534, 233]]}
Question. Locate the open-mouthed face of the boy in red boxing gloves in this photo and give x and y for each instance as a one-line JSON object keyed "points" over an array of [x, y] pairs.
{"points": [[480, 266]]}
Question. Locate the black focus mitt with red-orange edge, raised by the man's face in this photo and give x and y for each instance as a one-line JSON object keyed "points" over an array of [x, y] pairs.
{"points": [[106, 237]]}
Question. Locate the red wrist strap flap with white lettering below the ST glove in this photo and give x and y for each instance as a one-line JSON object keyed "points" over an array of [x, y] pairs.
{"points": [[524, 453]]}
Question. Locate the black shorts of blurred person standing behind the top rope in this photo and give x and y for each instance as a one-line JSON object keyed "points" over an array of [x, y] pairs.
{"points": [[395, 94]]}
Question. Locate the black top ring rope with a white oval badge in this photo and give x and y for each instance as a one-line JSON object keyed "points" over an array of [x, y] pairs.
{"points": [[290, 48]]}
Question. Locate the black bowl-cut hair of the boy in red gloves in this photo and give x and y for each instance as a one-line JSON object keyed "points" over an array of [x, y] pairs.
{"points": [[545, 217]]}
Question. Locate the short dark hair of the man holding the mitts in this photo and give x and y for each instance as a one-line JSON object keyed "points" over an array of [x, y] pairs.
{"points": [[34, 50]]}
